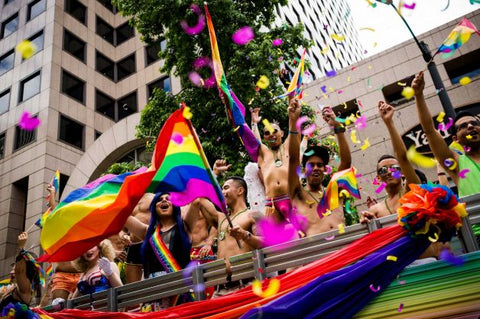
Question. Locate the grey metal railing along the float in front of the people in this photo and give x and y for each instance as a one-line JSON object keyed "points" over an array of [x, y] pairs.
{"points": [[256, 264]]}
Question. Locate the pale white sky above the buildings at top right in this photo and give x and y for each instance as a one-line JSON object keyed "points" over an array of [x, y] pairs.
{"points": [[388, 26]]}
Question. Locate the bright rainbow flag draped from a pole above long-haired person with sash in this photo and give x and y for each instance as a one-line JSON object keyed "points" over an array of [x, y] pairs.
{"points": [[184, 170]]}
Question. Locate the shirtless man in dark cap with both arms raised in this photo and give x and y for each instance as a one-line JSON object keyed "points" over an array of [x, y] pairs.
{"points": [[306, 200]]}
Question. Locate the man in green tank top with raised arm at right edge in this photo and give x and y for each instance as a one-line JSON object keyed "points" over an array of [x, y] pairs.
{"points": [[465, 130]]}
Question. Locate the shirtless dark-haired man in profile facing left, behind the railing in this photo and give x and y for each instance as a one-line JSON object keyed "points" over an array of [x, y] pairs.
{"points": [[244, 225]]}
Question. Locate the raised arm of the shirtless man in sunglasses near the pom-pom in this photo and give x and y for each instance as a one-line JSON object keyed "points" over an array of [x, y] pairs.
{"points": [[386, 112]]}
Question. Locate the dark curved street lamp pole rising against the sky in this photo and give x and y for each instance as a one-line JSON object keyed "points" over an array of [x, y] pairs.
{"points": [[432, 67]]}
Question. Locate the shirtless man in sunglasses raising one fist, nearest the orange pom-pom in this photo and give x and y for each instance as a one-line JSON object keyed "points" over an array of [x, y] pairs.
{"points": [[391, 169]]}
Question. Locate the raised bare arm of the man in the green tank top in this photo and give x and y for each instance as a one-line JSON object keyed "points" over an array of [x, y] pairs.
{"points": [[439, 147]]}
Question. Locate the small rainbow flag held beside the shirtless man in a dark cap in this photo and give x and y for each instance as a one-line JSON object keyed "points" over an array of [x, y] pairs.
{"points": [[340, 180]]}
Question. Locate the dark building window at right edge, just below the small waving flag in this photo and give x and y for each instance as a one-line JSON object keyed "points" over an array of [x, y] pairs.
{"points": [[465, 65]]}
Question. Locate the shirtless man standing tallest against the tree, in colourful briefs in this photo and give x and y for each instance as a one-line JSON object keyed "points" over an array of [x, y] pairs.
{"points": [[273, 165]]}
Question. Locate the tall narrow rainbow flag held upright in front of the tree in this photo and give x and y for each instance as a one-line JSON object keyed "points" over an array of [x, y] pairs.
{"points": [[236, 112]]}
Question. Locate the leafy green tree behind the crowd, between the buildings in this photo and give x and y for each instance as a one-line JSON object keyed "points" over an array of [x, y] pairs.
{"points": [[160, 19]]}
